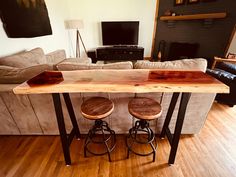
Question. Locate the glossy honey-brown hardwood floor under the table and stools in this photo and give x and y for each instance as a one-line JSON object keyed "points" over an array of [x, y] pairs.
{"points": [[209, 154]]}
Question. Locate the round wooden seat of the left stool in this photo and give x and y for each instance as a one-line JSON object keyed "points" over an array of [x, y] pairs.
{"points": [[97, 108]]}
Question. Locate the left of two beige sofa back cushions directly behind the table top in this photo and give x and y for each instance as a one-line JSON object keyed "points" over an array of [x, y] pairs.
{"points": [[85, 66]]}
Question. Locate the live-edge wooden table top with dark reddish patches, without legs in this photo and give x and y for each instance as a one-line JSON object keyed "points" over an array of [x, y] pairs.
{"points": [[117, 81]]}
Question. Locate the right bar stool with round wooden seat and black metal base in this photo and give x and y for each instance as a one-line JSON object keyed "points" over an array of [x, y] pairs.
{"points": [[144, 109]]}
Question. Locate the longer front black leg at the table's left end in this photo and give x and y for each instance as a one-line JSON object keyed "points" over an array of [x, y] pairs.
{"points": [[61, 125]]}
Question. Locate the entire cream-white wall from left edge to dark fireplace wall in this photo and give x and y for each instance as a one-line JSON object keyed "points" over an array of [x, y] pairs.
{"points": [[92, 12]]}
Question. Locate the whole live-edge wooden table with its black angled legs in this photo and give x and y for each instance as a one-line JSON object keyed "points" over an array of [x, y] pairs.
{"points": [[117, 81]]}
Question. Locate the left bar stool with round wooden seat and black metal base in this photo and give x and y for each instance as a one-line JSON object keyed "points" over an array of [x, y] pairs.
{"points": [[98, 108]]}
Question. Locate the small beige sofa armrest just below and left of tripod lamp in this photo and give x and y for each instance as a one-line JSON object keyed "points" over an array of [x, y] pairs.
{"points": [[55, 57]]}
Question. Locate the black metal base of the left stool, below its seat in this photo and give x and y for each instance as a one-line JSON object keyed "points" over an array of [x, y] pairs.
{"points": [[102, 127]]}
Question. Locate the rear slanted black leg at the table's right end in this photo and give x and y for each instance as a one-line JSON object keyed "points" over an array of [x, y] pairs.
{"points": [[171, 108]]}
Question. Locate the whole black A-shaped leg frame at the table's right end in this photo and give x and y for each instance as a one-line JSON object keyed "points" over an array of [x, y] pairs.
{"points": [[174, 139]]}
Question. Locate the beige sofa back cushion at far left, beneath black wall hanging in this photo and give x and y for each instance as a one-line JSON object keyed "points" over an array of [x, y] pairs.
{"points": [[25, 59]]}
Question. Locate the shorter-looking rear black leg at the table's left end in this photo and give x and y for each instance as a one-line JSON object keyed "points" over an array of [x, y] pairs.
{"points": [[72, 114]]}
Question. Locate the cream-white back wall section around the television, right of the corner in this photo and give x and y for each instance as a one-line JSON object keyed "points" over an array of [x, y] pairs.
{"points": [[94, 11]]}
